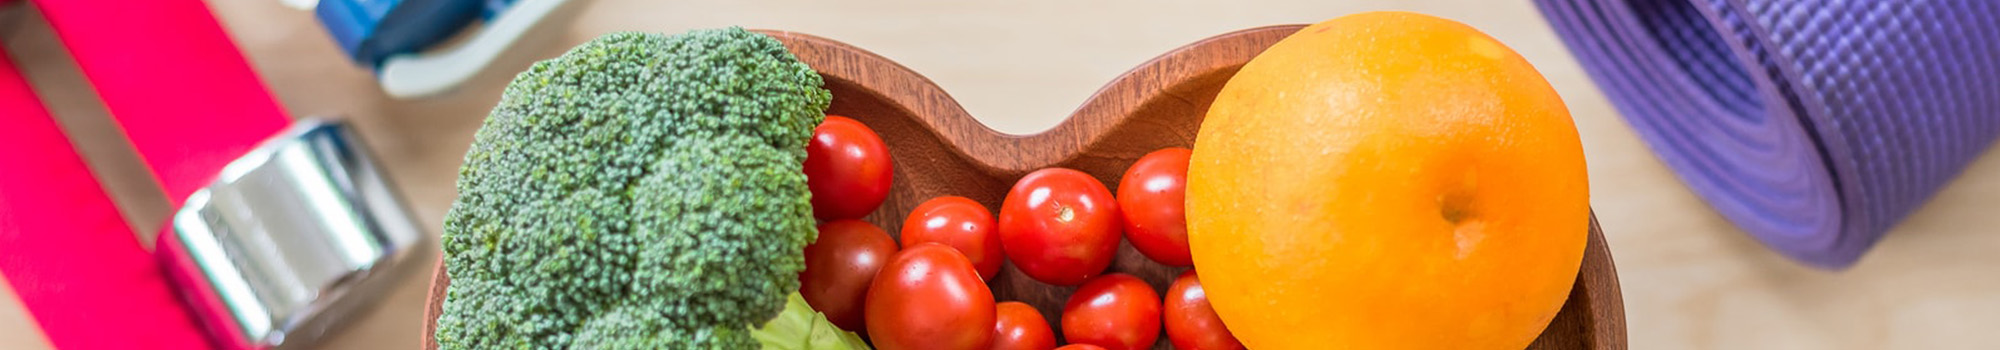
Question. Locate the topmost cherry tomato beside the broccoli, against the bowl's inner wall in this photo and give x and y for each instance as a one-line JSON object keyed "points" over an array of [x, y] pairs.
{"points": [[847, 169]]}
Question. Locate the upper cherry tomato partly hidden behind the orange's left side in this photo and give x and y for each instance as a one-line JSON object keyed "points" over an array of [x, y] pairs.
{"points": [[1153, 199]]}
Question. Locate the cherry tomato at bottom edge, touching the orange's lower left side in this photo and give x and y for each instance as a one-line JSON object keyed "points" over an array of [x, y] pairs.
{"points": [[1191, 323]]}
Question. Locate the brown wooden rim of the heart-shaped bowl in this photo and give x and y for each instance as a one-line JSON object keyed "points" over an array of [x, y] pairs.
{"points": [[1095, 119]]}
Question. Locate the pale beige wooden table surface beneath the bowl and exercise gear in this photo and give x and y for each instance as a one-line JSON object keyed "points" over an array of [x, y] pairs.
{"points": [[1691, 279]]}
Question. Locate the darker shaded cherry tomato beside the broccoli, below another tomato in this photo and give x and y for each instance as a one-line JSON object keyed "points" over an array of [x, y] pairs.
{"points": [[841, 267]]}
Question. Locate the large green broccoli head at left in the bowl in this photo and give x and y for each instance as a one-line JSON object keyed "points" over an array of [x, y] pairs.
{"points": [[639, 191]]}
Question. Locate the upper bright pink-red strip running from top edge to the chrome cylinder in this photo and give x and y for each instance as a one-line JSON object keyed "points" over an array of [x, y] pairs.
{"points": [[173, 79]]}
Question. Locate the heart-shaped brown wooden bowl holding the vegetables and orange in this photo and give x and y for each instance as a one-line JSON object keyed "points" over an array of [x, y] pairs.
{"points": [[941, 151]]}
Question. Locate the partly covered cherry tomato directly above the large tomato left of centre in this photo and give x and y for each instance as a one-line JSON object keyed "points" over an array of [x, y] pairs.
{"points": [[959, 223]]}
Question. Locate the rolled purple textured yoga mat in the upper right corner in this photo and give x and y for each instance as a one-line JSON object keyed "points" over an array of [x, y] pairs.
{"points": [[1815, 125]]}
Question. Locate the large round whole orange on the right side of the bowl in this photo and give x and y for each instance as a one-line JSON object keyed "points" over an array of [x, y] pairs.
{"points": [[1387, 181]]}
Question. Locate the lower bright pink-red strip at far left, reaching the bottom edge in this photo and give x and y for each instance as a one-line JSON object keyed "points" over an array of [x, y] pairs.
{"points": [[65, 249]]}
